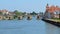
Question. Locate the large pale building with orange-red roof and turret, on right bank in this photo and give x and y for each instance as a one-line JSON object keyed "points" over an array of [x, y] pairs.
{"points": [[52, 12]]}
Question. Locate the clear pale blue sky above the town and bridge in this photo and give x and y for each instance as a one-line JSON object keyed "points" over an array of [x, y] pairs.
{"points": [[27, 5]]}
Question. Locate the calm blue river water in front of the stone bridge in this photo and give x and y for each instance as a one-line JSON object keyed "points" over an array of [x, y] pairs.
{"points": [[27, 27]]}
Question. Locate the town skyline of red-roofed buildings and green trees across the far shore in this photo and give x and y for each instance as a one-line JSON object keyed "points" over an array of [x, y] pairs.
{"points": [[50, 13]]}
